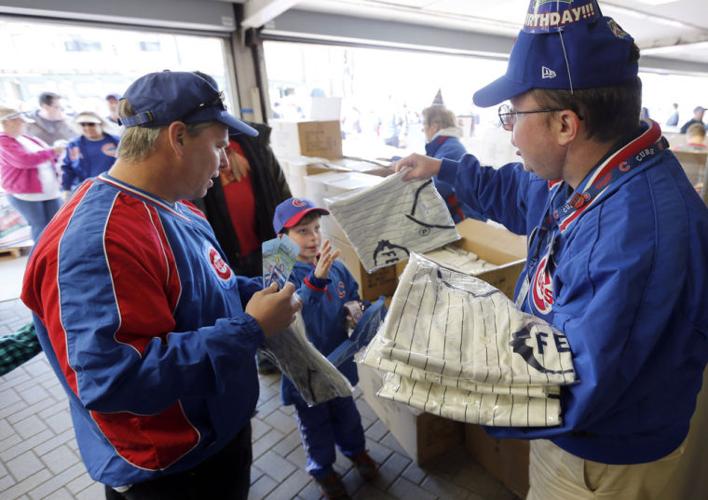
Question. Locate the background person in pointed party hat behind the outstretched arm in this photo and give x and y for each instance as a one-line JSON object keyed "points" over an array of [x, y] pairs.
{"points": [[442, 136]]}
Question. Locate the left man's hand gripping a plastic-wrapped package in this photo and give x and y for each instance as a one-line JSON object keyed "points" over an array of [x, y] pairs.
{"points": [[274, 310]]}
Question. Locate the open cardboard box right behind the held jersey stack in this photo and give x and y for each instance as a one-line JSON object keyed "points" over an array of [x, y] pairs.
{"points": [[495, 245]]}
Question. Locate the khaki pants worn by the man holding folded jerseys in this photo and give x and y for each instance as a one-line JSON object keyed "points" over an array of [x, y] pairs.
{"points": [[555, 474]]}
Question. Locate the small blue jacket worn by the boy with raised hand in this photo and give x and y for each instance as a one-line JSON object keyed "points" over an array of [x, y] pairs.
{"points": [[324, 315]]}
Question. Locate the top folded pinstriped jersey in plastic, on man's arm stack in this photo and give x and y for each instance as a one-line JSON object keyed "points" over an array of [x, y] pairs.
{"points": [[455, 325]]}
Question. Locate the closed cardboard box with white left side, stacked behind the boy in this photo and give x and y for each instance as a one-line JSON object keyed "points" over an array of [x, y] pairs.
{"points": [[321, 139]]}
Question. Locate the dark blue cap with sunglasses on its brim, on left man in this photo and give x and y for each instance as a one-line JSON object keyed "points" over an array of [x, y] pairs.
{"points": [[159, 99]]}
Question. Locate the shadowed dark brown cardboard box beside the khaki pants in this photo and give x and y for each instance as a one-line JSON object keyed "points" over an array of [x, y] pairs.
{"points": [[505, 459]]}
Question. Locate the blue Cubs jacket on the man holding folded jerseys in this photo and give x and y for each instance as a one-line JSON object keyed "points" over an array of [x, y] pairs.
{"points": [[625, 275]]}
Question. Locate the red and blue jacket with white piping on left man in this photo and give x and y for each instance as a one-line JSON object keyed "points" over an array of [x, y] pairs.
{"points": [[142, 321]]}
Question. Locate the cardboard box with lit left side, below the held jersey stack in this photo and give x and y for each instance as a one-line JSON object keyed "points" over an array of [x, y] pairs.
{"points": [[423, 436]]}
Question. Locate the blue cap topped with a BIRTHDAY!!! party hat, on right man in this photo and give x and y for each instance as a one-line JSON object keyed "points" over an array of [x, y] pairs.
{"points": [[563, 46]]}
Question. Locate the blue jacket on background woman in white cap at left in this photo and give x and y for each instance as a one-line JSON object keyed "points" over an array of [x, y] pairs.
{"points": [[85, 158]]}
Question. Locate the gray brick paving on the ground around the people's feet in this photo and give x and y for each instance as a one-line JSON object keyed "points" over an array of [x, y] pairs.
{"points": [[39, 457]]}
